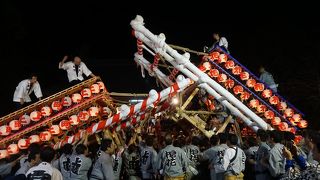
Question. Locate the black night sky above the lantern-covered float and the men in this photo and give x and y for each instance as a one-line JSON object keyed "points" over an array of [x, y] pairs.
{"points": [[34, 36]]}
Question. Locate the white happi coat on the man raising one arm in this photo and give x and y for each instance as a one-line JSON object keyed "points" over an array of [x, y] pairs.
{"points": [[70, 67]]}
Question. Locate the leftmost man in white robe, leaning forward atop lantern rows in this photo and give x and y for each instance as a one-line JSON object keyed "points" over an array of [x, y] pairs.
{"points": [[24, 89]]}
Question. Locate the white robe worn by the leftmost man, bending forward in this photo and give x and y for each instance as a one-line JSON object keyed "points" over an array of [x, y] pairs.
{"points": [[23, 90]]}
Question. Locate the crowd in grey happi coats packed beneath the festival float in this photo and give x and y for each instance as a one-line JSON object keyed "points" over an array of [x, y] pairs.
{"points": [[171, 155]]}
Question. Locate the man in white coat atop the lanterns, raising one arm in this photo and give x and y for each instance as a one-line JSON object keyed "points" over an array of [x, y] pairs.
{"points": [[75, 69]]}
